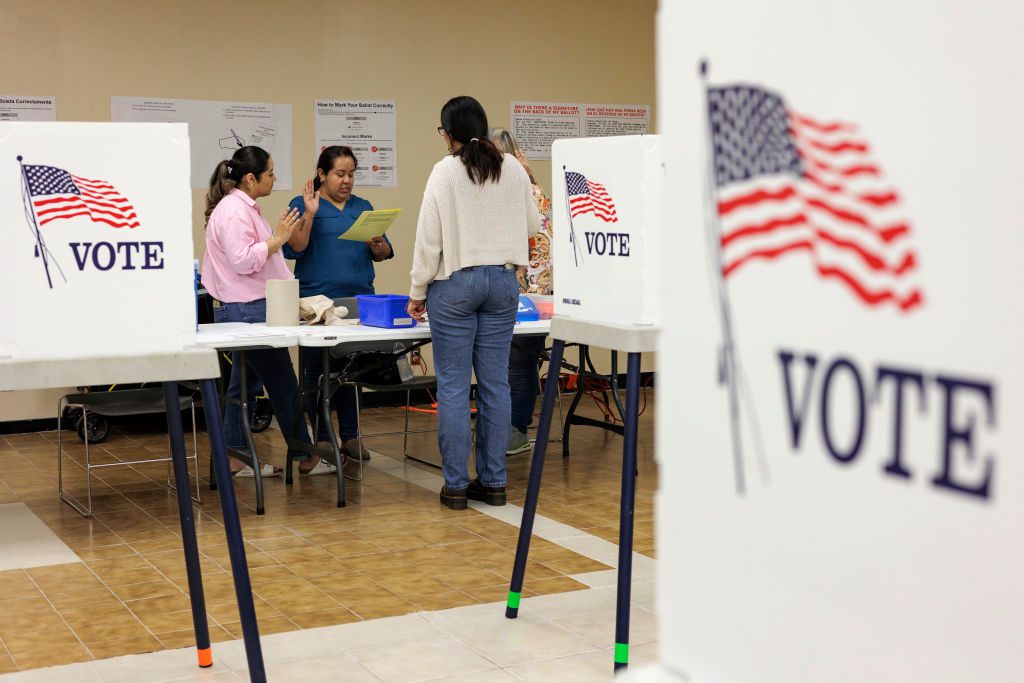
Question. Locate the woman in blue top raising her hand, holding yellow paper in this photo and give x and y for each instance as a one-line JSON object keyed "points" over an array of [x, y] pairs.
{"points": [[334, 268]]}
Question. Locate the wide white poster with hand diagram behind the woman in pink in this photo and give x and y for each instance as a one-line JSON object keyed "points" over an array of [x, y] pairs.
{"points": [[217, 130]]}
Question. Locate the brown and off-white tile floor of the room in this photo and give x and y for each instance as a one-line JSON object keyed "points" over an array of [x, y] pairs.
{"points": [[351, 585]]}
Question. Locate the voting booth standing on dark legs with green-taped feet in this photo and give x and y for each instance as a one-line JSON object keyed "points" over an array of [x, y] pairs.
{"points": [[607, 209]]}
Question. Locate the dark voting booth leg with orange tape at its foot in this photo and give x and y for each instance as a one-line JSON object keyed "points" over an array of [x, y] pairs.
{"points": [[189, 542]]}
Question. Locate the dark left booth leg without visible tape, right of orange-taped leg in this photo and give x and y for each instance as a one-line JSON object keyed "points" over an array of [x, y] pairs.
{"points": [[233, 530]]}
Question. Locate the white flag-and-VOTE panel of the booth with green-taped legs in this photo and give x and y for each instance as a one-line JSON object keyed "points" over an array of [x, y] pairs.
{"points": [[607, 196]]}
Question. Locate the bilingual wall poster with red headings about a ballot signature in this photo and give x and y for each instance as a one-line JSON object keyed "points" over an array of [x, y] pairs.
{"points": [[537, 125]]}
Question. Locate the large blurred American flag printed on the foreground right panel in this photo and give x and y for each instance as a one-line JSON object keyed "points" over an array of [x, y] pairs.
{"points": [[789, 184]]}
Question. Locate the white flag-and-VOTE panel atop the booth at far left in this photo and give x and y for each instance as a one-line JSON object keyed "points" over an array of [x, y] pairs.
{"points": [[98, 225]]}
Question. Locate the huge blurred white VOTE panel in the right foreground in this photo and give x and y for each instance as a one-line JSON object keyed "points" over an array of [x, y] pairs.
{"points": [[866, 211]]}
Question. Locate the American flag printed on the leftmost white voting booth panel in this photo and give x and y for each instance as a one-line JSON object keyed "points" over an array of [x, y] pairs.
{"points": [[57, 194]]}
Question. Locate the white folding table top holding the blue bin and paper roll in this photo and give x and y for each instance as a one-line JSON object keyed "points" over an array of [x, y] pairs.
{"points": [[245, 335]]}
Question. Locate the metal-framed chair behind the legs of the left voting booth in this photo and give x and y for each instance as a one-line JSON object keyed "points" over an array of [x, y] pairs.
{"points": [[114, 404]]}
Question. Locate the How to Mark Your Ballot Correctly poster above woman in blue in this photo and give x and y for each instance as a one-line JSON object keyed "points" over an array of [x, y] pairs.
{"points": [[370, 127]]}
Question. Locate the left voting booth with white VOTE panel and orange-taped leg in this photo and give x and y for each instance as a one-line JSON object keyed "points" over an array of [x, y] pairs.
{"points": [[99, 288]]}
